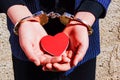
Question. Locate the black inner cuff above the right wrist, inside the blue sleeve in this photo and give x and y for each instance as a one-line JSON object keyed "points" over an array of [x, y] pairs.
{"points": [[93, 7]]}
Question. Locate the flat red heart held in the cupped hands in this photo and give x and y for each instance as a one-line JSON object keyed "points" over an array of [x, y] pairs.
{"points": [[55, 45]]}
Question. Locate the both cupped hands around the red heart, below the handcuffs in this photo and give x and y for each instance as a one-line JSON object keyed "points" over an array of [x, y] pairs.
{"points": [[30, 34]]}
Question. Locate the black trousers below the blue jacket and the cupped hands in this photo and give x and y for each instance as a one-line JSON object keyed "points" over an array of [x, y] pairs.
{"points": [[28, 71]]}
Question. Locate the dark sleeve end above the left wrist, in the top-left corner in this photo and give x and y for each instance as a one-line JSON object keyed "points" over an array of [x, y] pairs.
{"points": [[4, 5]]}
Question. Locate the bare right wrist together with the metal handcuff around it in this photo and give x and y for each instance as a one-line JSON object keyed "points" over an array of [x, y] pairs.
{"points": [[81, 18]]}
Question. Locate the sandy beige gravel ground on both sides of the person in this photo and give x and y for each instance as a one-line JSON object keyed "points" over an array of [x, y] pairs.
{"points": [[108, 62]]}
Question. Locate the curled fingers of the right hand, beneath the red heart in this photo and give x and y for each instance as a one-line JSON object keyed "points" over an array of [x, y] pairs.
{"points": [[64, 65]]}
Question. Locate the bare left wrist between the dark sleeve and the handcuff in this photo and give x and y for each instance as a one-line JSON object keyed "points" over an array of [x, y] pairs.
{"points": [[17, 12]]}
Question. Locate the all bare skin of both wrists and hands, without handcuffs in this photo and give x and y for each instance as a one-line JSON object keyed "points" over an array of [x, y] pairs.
{"points": [[30, 33]]}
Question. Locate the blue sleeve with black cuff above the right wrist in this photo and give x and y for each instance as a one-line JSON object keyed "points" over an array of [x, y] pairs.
{"points": [[97, 7]]}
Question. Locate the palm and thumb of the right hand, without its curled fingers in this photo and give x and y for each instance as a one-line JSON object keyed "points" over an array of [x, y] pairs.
{"points": [[79, 41]]}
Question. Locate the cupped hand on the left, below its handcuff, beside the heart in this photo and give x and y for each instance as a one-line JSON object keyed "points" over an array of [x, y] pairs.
{"points": [[30, 34]]}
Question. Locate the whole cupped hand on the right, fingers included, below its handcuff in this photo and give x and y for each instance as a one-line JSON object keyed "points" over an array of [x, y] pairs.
{"points": [[79, 41]]}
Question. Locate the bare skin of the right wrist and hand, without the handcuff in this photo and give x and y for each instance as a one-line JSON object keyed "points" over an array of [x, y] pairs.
{"points": [[79, 43]]}
